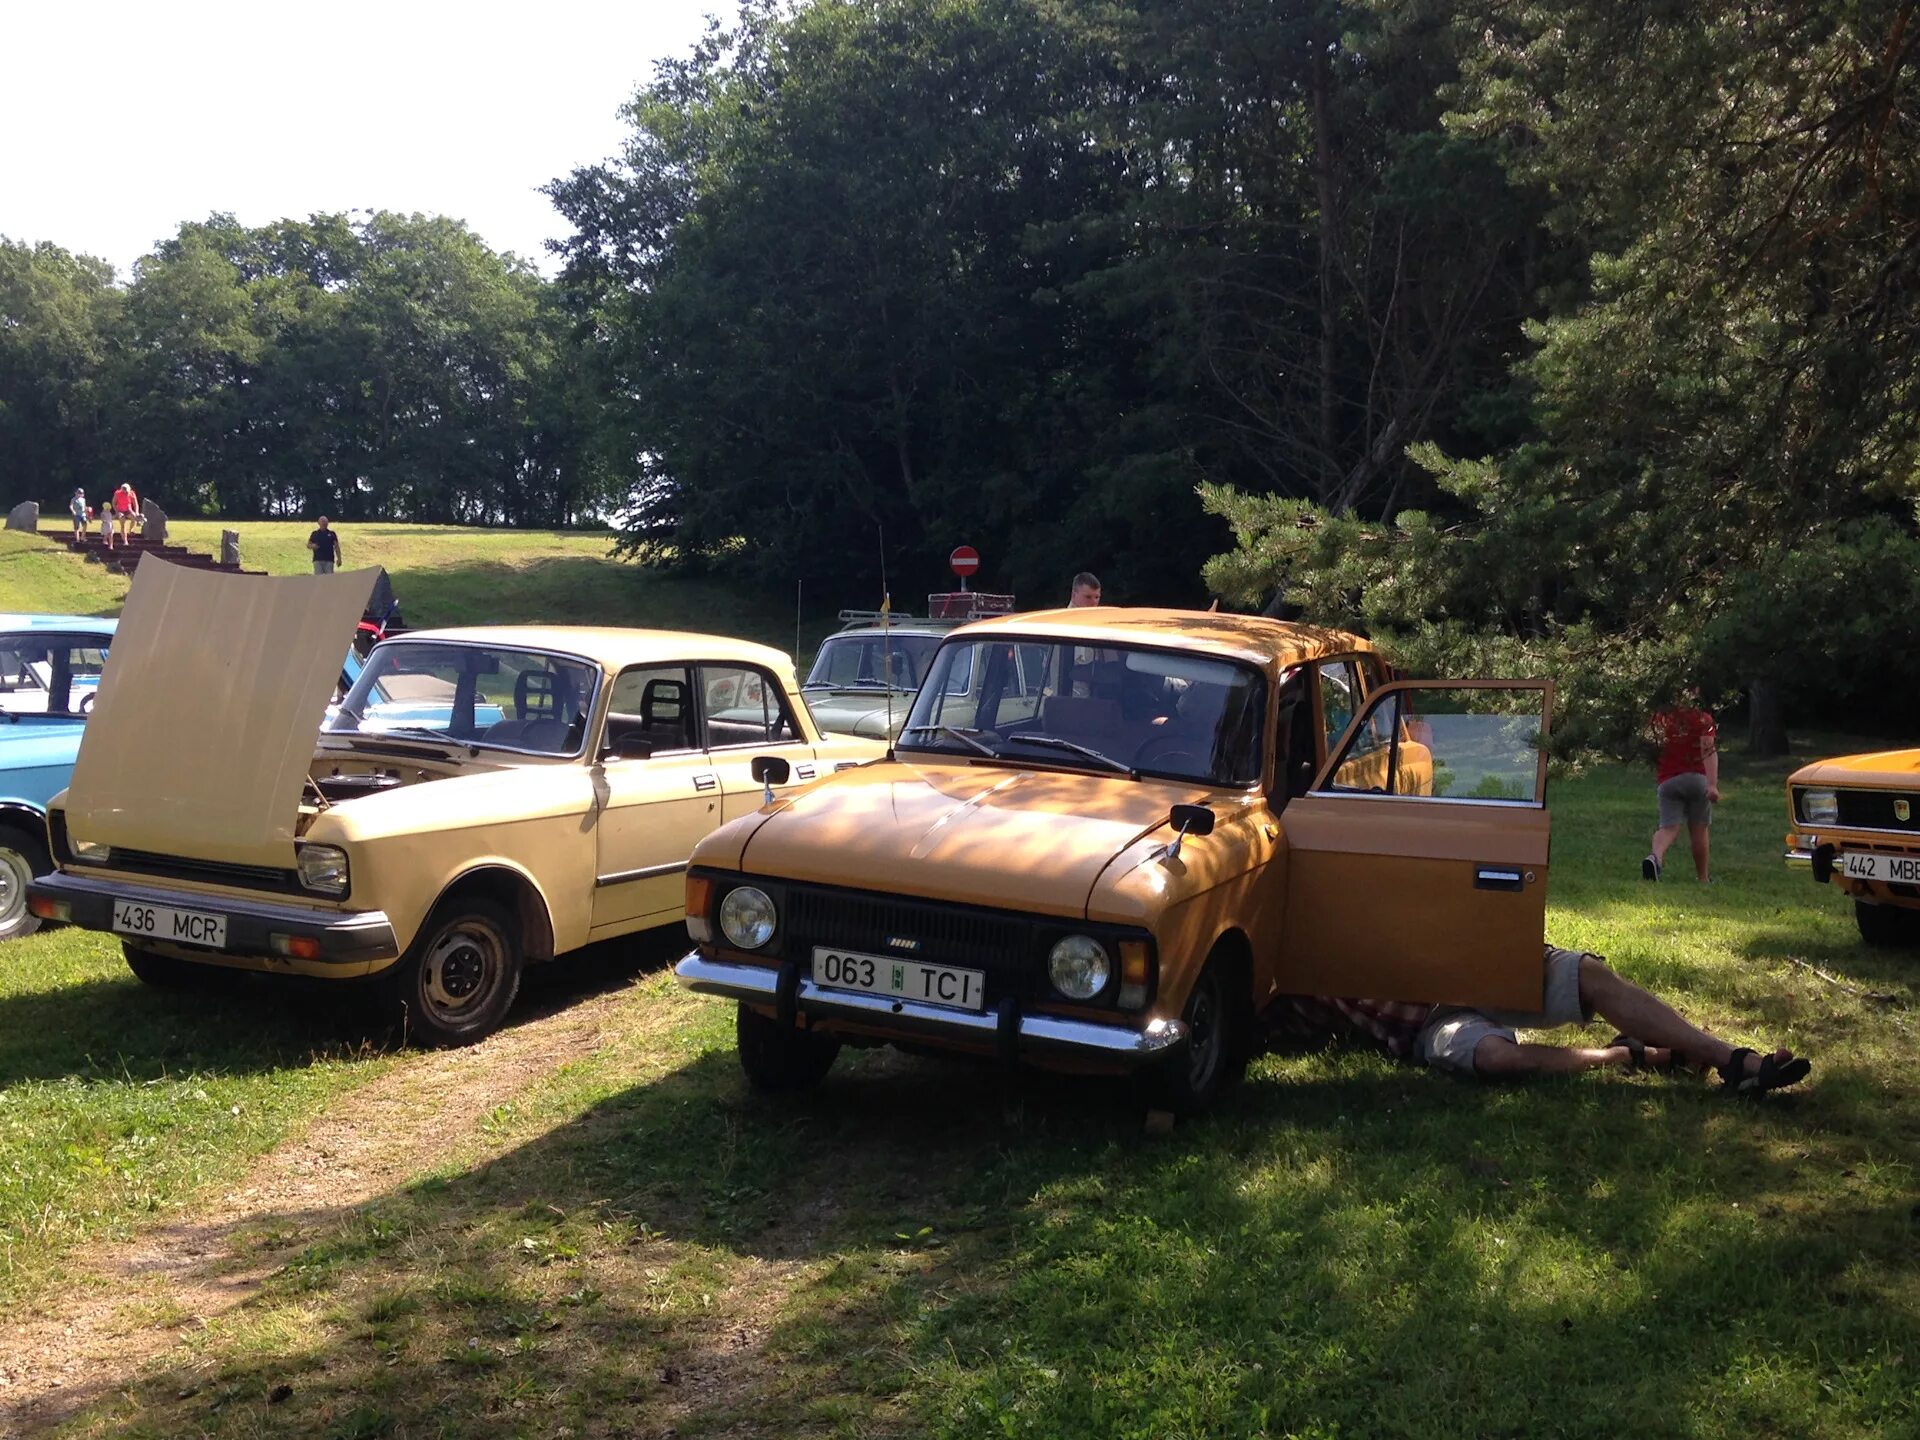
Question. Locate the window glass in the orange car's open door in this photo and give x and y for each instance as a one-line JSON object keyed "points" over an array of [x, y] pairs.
{"points": [[1454, 744]]}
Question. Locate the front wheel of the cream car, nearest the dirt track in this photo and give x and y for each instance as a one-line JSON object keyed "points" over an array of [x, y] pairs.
{"points": [[460, 978]]}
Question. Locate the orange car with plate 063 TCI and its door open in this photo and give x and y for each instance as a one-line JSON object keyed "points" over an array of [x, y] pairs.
{"points": [[1109, 838]]}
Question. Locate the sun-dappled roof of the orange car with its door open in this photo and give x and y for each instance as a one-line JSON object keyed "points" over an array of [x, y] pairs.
{"points": [[1247, 638]]}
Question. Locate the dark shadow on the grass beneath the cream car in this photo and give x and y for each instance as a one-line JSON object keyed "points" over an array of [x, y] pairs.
{"points": [[241, 1022]]}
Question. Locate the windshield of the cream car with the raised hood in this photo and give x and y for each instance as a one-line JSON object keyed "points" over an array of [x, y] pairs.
{"points": [[473, 696]]}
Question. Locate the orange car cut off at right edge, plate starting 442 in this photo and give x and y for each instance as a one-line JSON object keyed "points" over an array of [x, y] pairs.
{"points": [[1858, 825]]}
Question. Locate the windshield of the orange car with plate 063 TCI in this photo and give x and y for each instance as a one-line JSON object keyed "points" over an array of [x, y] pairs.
{"points": [[1149, 711]]}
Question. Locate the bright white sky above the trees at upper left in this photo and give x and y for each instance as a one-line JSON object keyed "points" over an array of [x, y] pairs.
{"points": [[118, 122]]}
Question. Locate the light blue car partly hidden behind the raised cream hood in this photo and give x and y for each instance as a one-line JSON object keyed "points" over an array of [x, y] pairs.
{"points": [[49, 679]]}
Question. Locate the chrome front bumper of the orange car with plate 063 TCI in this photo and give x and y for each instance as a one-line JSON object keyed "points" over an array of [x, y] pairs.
{"points": [[1005, 1030]]}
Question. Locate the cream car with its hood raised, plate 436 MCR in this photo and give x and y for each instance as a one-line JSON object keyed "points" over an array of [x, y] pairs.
{"points": [[477, 802]]}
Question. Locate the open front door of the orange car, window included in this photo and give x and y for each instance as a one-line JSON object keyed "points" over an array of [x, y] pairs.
{"points": [[1418, 865]]}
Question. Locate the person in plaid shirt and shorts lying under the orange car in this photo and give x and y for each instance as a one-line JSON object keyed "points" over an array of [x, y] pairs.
{"points": [[1579, 986]]}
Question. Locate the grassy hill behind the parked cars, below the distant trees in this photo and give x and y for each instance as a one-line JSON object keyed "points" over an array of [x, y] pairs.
{"points": [[444, 575]]}
